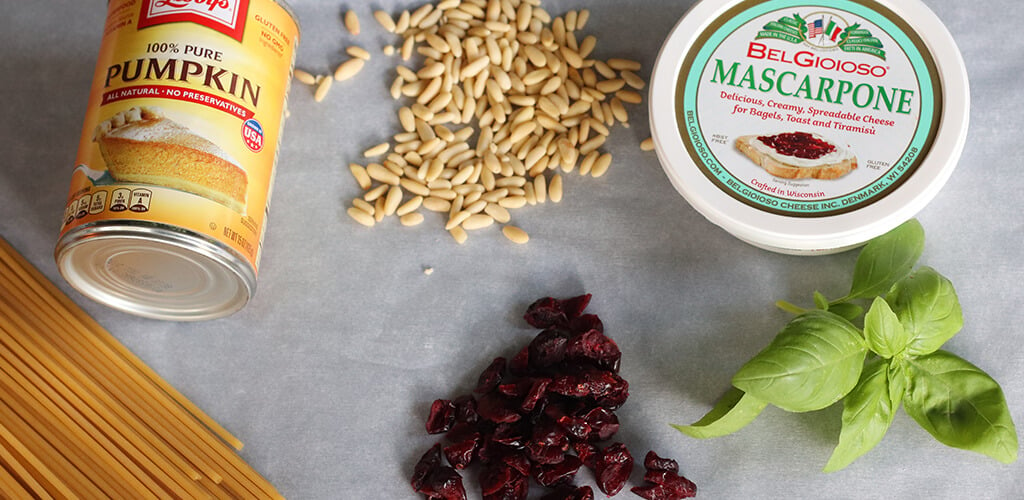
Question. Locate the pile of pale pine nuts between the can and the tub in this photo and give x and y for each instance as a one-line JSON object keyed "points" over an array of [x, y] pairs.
{"points": [[505, 101]]}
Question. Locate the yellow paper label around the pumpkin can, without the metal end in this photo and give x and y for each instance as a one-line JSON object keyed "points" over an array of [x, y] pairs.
{"points": [[185, 118]]}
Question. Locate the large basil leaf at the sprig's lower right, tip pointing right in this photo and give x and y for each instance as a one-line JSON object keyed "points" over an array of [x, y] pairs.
{"points": [[960, 405]]}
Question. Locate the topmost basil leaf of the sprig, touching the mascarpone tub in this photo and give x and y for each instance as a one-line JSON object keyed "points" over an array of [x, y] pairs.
{"points": [[886, 260]]}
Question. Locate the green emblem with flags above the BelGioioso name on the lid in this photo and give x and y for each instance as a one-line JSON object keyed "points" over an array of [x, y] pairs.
{"points": [[826, 31]]}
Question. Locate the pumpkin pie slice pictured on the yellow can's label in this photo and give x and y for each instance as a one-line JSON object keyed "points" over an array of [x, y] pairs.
{"points": [[142, 146]]}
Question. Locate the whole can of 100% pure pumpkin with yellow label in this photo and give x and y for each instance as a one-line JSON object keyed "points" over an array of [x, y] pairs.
{"points": [[172, 186]]}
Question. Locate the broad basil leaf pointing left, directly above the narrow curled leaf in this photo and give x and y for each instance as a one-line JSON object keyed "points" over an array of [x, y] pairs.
{"points": [[813, 363]]}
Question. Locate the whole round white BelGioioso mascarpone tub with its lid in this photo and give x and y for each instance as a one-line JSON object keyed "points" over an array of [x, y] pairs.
{"points": [[809, 128]]}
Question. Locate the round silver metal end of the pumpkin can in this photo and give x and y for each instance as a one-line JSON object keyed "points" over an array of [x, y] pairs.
{"points": [[155, 273]]}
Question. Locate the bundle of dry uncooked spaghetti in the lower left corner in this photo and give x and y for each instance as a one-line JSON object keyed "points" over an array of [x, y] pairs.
{"points": [[83, 418]]}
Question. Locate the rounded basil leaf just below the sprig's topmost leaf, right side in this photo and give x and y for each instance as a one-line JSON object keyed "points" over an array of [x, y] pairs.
{"points": [[927, 306]]}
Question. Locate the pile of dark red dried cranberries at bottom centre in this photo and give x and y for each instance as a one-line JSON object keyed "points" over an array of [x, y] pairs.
{"points": [[542, 414]]}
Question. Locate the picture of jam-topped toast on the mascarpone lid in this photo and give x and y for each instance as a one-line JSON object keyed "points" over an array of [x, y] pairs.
{"points": [[798, 155]]}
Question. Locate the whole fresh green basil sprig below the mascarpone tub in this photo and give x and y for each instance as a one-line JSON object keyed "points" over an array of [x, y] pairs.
{"points": [[822, 358]]}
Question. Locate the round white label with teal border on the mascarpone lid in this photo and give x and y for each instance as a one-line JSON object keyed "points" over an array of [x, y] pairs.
{"points": [[846, 75]]}
